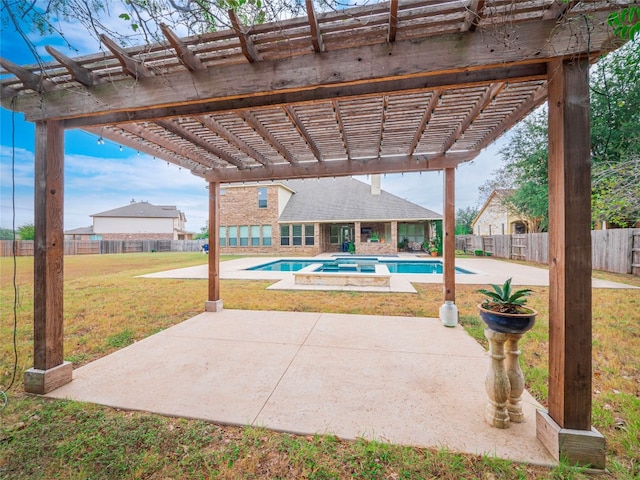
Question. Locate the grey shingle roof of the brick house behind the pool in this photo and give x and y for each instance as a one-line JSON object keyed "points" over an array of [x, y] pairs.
{"points": [[346, 199]]}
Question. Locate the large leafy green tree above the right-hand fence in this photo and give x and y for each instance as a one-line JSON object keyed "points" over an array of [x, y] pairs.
{"points": [[615, 146]]}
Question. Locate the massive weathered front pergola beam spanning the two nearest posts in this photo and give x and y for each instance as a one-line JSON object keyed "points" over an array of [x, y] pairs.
{"points": [[450, 54]]}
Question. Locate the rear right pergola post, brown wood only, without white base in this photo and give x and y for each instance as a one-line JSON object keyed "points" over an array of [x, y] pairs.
{"points": [[449, 235]]}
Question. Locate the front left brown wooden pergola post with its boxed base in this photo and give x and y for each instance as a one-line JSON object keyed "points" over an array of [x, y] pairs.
{"points": [[49, 371]]}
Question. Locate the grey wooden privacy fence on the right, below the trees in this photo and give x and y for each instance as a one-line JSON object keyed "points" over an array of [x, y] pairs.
{"points": [[616, 250]]}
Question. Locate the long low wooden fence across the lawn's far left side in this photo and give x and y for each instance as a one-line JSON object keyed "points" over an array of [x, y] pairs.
{"points": [[78, 247]]}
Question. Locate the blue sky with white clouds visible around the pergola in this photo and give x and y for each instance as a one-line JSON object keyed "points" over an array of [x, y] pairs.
{"points": [[101, 177]]}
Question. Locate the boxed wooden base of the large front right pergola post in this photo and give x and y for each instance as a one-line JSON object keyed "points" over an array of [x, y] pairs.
{"points": [[581, 447]]}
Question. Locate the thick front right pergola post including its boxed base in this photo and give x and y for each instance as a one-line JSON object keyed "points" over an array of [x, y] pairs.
{"points": [[566, 430]]}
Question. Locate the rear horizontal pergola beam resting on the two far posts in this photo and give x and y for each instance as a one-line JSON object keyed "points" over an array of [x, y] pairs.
{"points": [[336, 168]]}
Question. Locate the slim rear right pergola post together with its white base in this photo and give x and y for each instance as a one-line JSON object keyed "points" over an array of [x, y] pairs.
{"points": [[448, 253]]}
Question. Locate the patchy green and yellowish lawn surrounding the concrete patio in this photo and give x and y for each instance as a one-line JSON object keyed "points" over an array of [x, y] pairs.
{"points": [[107, 307]]}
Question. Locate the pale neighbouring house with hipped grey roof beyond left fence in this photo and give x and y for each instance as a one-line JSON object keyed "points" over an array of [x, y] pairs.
{"points": [[136, 221]]}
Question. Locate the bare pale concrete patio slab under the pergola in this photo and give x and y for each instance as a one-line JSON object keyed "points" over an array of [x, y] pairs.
{"points": [[402, 379]]}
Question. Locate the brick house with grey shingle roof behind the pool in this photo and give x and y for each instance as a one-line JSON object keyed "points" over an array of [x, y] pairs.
{"points": [[307, 217]]}
